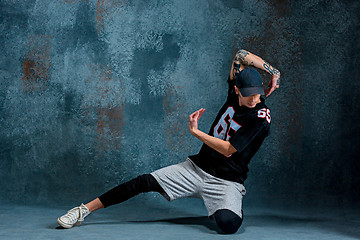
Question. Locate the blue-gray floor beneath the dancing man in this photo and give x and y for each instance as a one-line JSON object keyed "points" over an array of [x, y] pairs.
{"points": [[181, 219]]}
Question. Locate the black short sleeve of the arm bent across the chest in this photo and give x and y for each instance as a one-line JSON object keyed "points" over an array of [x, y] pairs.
{"points": [[247, 134]]}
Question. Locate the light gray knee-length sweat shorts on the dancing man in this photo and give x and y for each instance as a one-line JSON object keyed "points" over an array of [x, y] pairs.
{"points": [[188, 180]]}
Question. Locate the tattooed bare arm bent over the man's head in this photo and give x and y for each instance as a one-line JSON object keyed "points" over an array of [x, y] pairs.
{"points": [[244, 57]]}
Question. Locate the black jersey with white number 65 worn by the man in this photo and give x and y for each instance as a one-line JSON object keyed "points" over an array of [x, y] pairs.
{"points": [[245, 128]]}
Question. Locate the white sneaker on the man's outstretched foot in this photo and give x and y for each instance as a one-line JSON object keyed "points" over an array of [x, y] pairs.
{"points": [[73, 217]]}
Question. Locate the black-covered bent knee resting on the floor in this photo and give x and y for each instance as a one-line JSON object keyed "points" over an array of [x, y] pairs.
{"points": [[227, 221]]}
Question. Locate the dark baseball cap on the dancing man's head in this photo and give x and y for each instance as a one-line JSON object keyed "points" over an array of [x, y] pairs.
{"points": [[249, 82]]}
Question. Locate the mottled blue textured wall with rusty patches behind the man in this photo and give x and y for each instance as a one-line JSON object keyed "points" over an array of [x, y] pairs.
{"points": [[94, 92]]}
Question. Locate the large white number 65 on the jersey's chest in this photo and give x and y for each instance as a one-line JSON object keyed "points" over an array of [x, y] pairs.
{"points": [[221, 128]]}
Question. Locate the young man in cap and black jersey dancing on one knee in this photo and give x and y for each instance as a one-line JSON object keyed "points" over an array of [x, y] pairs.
{"points": [[217, 173]]}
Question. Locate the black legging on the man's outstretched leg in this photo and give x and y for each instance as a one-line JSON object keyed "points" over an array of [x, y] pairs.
{"points": [[141, 184]]}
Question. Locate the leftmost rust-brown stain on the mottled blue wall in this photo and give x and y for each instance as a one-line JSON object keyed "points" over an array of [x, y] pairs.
{"points": [[37, 63]]}
